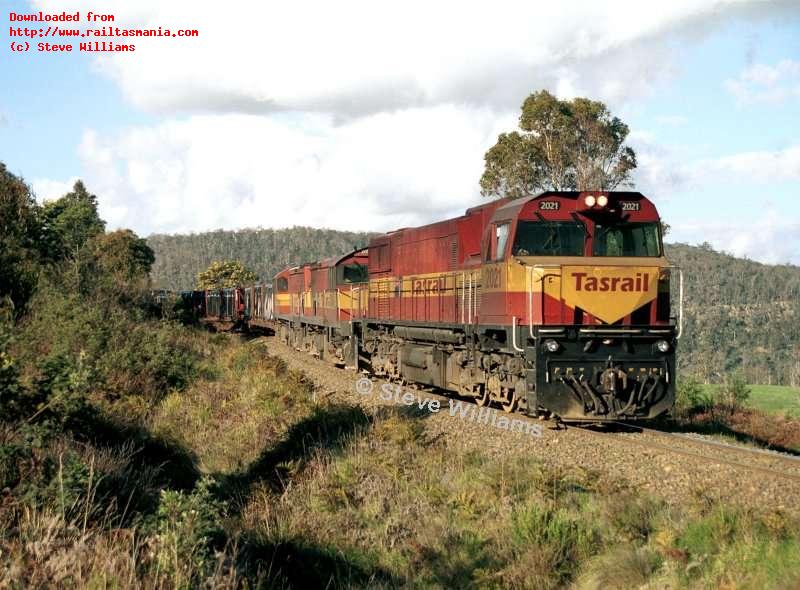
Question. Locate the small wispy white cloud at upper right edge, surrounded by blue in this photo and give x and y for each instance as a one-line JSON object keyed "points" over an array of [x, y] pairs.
{"points": [[761, 83]]}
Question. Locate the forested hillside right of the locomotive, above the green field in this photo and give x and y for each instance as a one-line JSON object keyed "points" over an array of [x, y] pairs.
{"points": [[740, 315]]}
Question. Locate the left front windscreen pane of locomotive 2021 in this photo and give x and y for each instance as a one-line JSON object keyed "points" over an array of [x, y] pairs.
{"points": [[549, 238]]}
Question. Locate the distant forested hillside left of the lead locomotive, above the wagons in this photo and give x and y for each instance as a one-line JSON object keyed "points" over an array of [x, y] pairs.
{"points": [[266, 251]]}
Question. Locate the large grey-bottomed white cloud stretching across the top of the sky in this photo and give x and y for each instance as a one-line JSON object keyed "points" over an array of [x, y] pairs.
{"points": [[354, 58]]}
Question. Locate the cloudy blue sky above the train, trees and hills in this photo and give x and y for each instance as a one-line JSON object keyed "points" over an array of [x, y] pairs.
{"points": [[374, 116]]}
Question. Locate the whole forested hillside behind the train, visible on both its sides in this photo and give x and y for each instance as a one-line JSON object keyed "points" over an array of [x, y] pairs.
{"points": [[740, 314]]}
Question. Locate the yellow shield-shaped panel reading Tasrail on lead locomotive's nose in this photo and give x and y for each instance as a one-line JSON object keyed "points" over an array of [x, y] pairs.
{"points": [[609, 292]]}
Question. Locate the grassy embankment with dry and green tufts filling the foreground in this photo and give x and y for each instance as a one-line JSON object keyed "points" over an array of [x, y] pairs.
{"points": [[242, 474]]}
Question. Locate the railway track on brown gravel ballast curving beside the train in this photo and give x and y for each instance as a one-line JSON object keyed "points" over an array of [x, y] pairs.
{"points": [[672, 464]]}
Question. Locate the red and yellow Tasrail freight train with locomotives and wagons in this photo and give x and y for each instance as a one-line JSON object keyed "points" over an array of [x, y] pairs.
{"points": [[558, 305]]}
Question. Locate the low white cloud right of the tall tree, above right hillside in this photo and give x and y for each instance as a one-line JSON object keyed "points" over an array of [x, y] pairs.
{"points": [[679, 183]]}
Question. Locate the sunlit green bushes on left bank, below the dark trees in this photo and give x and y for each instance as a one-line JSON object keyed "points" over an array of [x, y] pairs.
{"points": [[101, 350]]}
